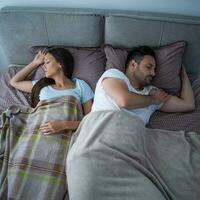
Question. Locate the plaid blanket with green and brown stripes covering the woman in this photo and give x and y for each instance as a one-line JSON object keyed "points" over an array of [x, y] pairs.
{"points": [[32, 165]]}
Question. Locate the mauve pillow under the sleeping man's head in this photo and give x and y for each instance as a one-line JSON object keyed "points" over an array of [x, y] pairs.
{"points": [[169, 62]]}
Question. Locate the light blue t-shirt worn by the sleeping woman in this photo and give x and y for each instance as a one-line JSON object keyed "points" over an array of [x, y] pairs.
{"points": [[82, 91]]}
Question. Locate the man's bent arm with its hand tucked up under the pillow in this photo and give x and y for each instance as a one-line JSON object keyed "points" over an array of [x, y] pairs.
{"points": [[185, 102]]}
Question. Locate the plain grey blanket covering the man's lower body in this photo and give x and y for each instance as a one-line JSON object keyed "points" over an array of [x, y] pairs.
{"points": [[115, 157]]}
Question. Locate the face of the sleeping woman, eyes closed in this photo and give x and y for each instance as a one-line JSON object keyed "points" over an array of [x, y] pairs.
{"points": [[51, 67]]}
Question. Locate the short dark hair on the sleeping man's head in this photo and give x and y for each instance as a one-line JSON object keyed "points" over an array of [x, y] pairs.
{"points": [[138, 53]]}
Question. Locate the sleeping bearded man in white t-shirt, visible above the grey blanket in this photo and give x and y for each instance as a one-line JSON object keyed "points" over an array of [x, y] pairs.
{"points": [[132, 91]]}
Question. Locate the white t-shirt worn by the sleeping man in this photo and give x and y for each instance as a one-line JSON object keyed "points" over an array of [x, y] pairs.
{"points": [[104, 102]]}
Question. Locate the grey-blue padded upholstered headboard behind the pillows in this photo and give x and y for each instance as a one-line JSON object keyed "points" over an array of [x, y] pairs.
{"points": [[23, 27]]}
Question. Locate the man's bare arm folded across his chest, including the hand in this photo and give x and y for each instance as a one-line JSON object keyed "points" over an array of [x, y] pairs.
{"points": [[118, 91]]}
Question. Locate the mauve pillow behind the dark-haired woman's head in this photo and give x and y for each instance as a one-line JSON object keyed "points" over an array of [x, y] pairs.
{"points": [[89, 62]]}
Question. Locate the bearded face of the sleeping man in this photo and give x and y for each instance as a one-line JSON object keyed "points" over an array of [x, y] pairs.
{"points": [[145, 70]]}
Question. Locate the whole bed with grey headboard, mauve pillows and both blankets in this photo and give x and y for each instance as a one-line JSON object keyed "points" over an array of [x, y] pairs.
{"points": [[111, 155]]}
